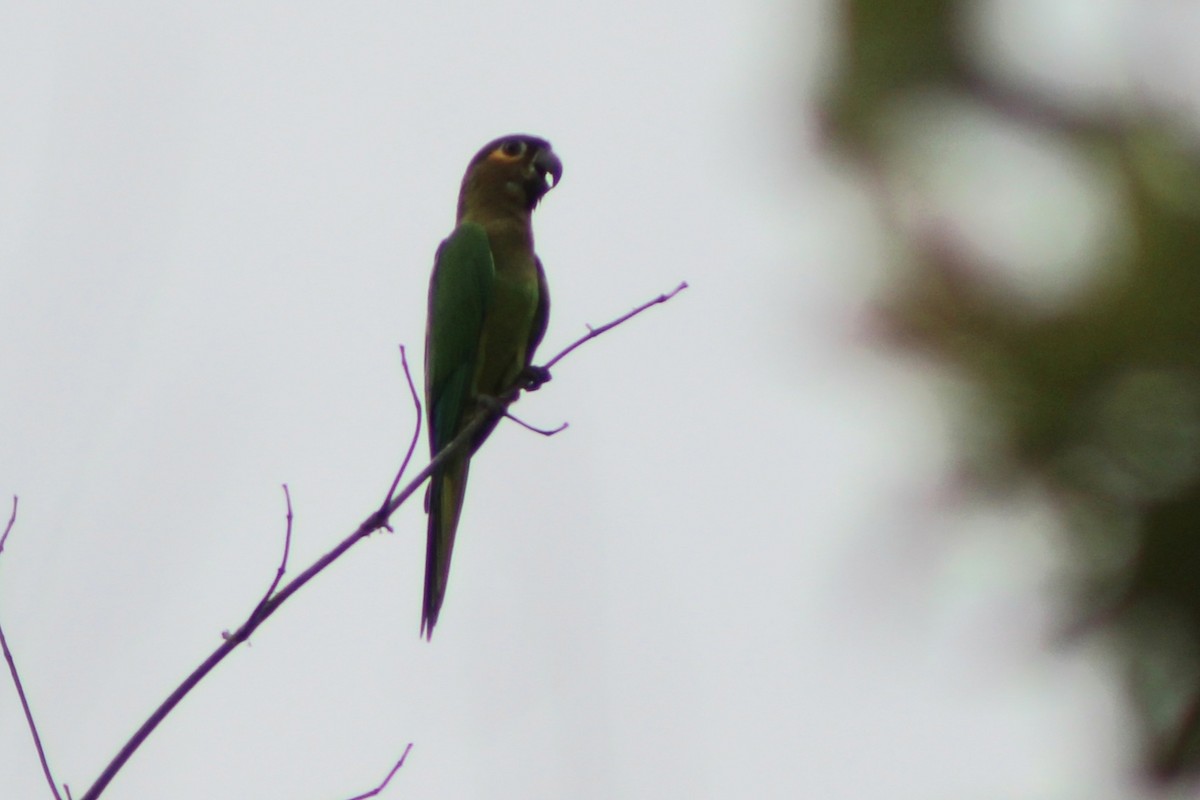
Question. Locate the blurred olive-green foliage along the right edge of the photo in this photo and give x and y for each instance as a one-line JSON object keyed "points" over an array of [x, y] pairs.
{"points": [[1097, 399]]}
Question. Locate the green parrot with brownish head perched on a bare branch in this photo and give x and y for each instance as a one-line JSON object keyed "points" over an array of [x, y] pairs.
{"points": [[488, 312]]}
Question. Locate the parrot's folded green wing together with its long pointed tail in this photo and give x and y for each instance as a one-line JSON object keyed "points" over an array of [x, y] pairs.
{"points": [[460, 291]]}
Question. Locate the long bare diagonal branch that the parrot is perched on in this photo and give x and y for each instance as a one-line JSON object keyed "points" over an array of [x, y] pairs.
{"points": [[375, 522]]}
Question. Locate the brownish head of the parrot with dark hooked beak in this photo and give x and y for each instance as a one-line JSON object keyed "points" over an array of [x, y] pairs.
{"points": [[513, 172]]}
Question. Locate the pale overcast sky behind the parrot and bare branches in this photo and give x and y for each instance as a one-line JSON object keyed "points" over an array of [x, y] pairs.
{"points": [[740, 574]]}
